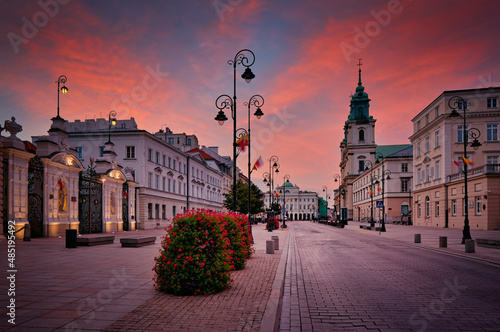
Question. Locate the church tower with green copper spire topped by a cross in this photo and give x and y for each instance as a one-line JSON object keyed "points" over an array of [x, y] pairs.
{"points": [[358, 145]]}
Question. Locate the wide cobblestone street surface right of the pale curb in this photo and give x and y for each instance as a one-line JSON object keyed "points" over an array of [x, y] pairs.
{"points": [[346, 280]]}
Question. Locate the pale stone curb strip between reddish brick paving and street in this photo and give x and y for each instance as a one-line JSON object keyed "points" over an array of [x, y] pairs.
{"points": [[270, 320]]}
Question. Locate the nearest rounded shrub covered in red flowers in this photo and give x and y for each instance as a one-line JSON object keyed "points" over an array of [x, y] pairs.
{"points": [[195, 257]]}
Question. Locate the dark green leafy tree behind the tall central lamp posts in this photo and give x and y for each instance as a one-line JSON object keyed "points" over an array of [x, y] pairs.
{"points": [[256, 201]]}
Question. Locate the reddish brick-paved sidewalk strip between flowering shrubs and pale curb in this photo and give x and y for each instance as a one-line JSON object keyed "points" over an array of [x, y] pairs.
{"points": [[239, 308]]}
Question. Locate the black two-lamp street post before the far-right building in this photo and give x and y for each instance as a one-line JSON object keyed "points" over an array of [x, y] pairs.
{"points": [[456, 103]]}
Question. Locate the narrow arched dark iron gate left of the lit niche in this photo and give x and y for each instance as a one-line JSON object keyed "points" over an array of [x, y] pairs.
{"points": [[35, 196]]}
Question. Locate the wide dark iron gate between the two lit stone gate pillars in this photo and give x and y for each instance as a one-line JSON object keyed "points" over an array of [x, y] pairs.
{"points": [[90, 203]]}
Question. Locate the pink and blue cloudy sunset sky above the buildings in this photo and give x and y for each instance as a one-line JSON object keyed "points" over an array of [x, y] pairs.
{"points": [[305, 67]]}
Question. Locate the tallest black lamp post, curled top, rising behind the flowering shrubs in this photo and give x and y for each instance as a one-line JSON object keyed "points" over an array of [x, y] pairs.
{"points": [[241, 58]]}
